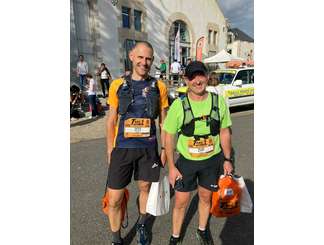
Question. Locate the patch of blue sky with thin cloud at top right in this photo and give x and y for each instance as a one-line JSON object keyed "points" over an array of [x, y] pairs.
{"points": [[240, 14]]}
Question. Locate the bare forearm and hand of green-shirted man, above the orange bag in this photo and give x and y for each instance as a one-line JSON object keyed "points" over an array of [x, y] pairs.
{"points": [[225, 140]]}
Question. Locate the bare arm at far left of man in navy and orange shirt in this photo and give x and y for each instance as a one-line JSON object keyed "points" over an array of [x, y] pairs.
{"points": [[110, 129]]}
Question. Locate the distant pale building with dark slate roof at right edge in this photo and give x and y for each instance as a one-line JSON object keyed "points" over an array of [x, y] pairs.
{"points": [[240, 44]]}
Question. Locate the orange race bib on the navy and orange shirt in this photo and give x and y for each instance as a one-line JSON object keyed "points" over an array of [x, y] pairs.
{"points": [[137, 127]]}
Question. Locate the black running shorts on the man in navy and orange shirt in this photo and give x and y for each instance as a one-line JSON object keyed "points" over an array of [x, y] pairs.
{"points": [[144, 162]]}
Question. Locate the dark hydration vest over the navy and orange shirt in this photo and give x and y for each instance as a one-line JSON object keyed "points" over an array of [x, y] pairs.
{"points": [[126, 97]]}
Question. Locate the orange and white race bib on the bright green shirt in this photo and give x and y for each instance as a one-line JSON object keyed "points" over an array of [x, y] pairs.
{"points": [[201, 148]]}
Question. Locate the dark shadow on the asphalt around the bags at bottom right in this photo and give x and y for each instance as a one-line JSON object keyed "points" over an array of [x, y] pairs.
{"points": [[239, 230]]}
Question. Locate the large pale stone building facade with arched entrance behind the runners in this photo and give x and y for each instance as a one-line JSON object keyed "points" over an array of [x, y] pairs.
{"points": [[105, 31]]}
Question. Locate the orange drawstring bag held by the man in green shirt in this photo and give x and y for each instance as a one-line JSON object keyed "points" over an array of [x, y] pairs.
{"points": [[226, 201]]}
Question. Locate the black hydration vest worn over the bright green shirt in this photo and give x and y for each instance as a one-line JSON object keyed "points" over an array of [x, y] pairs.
{"points": [[212, 120]]}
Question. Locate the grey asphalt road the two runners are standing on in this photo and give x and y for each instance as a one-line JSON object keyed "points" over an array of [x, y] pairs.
{"points": [[88, 175]]}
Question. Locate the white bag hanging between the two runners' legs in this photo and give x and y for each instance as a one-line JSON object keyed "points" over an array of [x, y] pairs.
{"points": [[158, 202]]}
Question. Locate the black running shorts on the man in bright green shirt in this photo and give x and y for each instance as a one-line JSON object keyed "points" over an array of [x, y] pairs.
{"points": [[206, 171]]}
